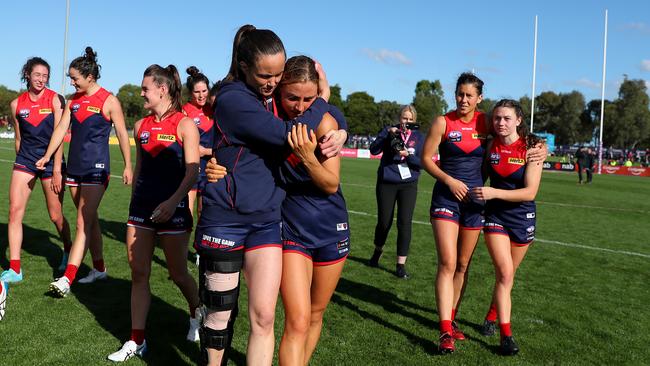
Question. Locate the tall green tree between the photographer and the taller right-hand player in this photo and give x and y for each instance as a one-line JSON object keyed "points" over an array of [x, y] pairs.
{"points": [[429, 101]]}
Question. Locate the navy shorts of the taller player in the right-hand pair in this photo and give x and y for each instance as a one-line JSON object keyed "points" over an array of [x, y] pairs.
{"points": [[444, 206]]}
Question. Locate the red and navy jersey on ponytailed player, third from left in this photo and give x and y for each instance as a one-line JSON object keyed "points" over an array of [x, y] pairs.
{"points": [[162, 162]]}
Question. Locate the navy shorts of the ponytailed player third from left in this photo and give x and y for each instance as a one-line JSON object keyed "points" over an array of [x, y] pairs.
{"points": [[180, 222]]}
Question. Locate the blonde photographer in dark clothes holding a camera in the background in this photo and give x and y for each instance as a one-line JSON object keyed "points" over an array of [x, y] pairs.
{"points": [[397, 181]]}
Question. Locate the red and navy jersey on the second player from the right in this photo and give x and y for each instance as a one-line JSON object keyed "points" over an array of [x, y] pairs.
{"points": [[462, 148]]}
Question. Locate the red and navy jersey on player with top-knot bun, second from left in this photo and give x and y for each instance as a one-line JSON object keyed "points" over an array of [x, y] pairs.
{"points": [[90, 130]]}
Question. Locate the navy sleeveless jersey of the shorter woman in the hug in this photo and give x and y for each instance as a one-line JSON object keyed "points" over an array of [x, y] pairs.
{"points": [[310, 216]]}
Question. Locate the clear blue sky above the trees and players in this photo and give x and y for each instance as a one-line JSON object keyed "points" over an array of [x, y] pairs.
{"points": [[383, 48]]}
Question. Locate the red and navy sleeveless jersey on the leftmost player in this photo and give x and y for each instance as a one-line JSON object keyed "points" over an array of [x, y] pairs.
{"points": [[36, 124]]}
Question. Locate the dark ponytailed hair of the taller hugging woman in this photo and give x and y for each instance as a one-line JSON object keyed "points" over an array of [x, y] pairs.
{"points": [[249, 44]]}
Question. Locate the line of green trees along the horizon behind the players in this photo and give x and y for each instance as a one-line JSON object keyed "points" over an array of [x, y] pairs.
{"points": [[566, 115]]}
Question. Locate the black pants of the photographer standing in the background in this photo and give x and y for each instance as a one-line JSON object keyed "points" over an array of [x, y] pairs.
{"points": [[405, 195]]}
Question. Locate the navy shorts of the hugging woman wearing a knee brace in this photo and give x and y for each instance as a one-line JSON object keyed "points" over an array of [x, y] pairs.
{"points": [[233, 236]]}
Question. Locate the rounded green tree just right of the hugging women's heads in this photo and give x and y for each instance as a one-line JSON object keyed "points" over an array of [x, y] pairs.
{"points": [[361, 113]]}
